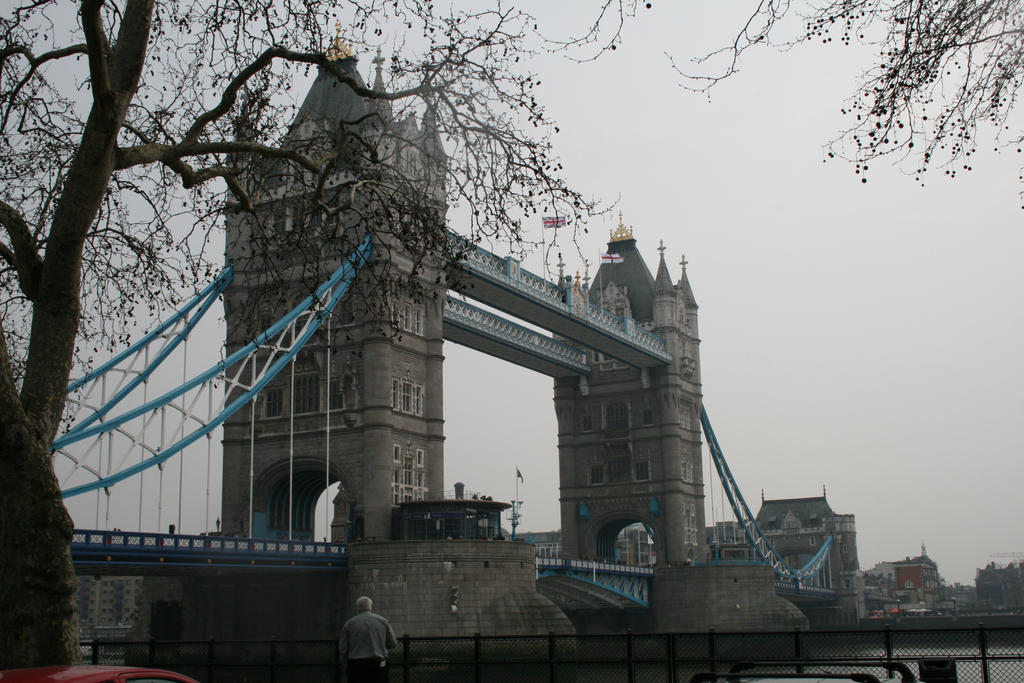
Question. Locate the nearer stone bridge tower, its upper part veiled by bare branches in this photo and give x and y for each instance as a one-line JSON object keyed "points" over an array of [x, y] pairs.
{"points": [[363, 403]]}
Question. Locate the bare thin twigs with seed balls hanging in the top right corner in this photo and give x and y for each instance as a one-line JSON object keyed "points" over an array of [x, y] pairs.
{"points": [[946, 70]]}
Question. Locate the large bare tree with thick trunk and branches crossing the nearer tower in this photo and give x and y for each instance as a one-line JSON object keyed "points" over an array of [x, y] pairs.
{"points": [[123, 126]]}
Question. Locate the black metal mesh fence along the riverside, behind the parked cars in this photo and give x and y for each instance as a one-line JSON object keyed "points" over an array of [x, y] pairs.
{"points": [[980, 655]]}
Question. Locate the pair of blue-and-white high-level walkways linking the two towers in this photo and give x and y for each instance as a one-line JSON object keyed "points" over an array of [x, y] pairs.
{"points": [[503, 284]]}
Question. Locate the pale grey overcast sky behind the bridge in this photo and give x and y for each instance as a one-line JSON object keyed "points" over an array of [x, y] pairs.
{"points": [[860, 337]]}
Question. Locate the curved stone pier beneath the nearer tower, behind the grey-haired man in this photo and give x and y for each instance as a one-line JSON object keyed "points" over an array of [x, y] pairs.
{"points": [[453, 588]]}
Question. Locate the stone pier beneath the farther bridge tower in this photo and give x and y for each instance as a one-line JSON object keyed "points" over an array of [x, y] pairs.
{"points": [[724, 599]]}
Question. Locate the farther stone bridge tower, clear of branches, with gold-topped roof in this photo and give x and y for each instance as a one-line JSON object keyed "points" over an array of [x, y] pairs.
{"points": [[629, 439]]}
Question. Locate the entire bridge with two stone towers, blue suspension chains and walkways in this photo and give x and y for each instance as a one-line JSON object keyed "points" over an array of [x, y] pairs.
{"points": [[325, 398]]}
